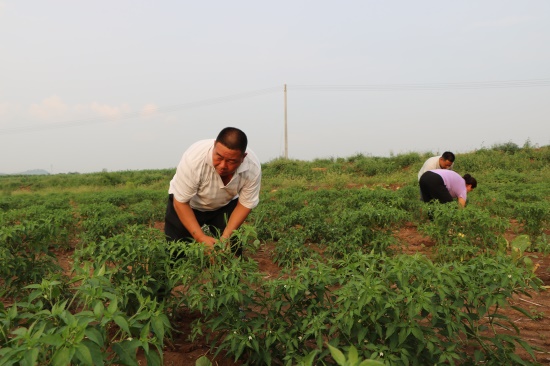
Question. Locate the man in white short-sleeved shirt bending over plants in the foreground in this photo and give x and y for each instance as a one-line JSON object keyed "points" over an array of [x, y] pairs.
{"points": [[217, 184]]}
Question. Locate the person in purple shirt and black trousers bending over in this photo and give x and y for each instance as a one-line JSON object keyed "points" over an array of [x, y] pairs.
{"points": [[445, 185]]}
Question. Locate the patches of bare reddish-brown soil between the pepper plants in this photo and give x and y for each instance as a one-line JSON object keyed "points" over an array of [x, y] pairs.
{"points": [[180, 351]]}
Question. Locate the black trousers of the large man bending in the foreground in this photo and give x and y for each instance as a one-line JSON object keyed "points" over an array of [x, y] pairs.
{"points": [[216, 221]]}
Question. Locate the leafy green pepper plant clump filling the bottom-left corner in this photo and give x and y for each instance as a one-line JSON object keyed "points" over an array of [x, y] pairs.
{"points": [[50, 328]]}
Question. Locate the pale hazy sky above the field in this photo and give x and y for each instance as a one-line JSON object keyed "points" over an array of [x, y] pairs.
{"points": [[87, 86]]}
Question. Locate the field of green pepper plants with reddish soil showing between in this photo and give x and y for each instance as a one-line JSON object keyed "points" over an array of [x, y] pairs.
{"points": [[341, 267]]}
